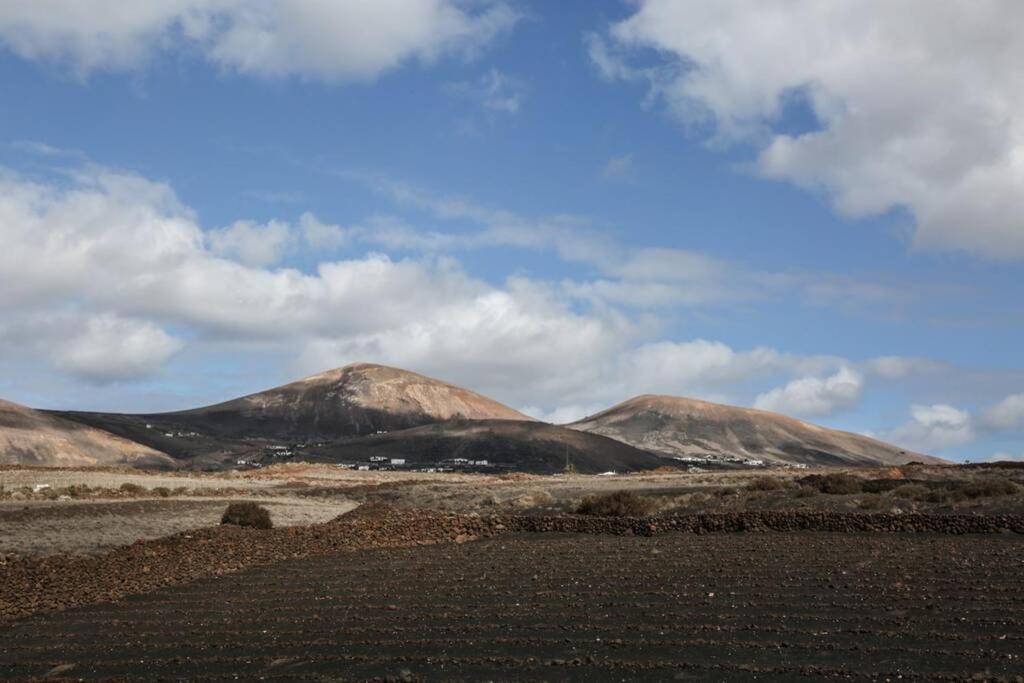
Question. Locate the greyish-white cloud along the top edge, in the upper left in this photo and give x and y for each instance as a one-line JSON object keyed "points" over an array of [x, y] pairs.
{"points": [[333, 41]]}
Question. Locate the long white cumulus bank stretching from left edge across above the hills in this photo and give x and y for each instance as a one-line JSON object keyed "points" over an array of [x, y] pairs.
{"points": [[132, 278]]}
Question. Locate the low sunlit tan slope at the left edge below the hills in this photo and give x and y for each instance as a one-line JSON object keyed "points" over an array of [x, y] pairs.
{"points": [[33, 438]]}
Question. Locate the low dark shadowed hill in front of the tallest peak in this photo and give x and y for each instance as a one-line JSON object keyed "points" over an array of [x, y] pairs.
{"points": [[528, 447]]}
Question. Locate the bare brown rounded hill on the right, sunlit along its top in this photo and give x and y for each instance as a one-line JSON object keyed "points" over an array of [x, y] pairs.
{"points": [[686, 428]]}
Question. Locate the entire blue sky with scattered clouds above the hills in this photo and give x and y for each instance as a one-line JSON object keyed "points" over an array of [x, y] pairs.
{"points": [[803, 207]]}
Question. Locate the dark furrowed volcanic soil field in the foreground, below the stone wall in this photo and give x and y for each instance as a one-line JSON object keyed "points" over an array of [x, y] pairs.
{"points": [[546, 607]]}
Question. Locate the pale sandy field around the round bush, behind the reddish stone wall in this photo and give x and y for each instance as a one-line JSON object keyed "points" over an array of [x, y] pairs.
{"points": [[92, 528]]}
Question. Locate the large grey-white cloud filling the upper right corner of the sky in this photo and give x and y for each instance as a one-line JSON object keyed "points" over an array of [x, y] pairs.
{"points": [[919, 105]]}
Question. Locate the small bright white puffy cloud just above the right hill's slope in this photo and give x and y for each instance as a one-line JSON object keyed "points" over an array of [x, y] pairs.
{"points": [[816, 396]]}
